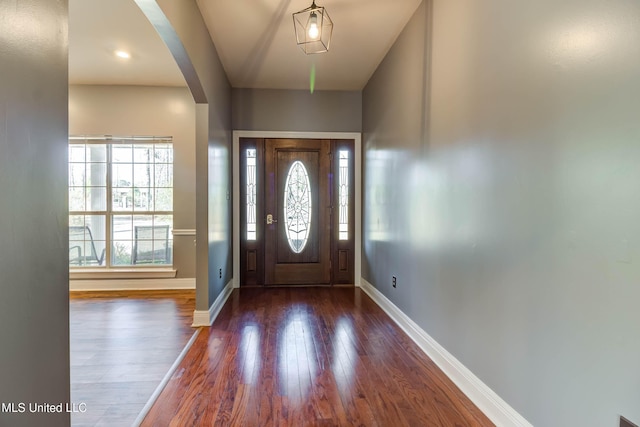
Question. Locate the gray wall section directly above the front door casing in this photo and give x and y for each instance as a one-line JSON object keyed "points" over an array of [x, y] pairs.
{"points": [[296, 110]]}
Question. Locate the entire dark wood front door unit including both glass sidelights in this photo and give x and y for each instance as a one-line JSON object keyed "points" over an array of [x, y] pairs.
{"points": [[296, 212]]}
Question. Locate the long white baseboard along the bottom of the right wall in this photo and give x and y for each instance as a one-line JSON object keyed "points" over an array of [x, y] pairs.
{"points": [[496, 409]]}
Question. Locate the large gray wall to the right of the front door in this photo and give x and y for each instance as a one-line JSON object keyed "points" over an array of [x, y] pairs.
{"points": [[512, 131]]}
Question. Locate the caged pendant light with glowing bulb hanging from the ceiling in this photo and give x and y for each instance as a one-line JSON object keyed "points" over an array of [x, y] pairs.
{"points": [[313, 28]]}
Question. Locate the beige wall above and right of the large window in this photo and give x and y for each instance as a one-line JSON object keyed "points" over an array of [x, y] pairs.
{"points": [[149, 111]]}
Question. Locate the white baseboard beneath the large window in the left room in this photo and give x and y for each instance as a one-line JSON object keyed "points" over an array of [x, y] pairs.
{"points": [[131, 284]]}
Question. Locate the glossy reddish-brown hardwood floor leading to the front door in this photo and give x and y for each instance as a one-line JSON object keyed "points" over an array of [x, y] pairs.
{"points": [[308, 356]]}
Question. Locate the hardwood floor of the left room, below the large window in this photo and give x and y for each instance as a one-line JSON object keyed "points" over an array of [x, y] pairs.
{"points": [[122, 346]]}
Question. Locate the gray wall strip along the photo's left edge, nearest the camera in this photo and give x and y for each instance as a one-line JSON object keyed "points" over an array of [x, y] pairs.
{"points": [[34, 276]]}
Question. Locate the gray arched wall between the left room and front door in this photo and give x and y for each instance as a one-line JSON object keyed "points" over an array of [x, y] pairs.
{"points": [[191, 45]]}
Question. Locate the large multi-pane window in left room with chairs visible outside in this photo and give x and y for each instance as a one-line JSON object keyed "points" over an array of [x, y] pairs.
{"points": [[120, 202]]}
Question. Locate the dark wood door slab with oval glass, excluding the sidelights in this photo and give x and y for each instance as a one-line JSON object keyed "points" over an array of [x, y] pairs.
{"points": [[298, 212]]}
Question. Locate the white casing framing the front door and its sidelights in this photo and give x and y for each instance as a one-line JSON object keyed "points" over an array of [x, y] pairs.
{"points": [[357, 139]]}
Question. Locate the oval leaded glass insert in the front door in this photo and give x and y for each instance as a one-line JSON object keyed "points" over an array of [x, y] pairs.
{"points": [[297, 206]]}
